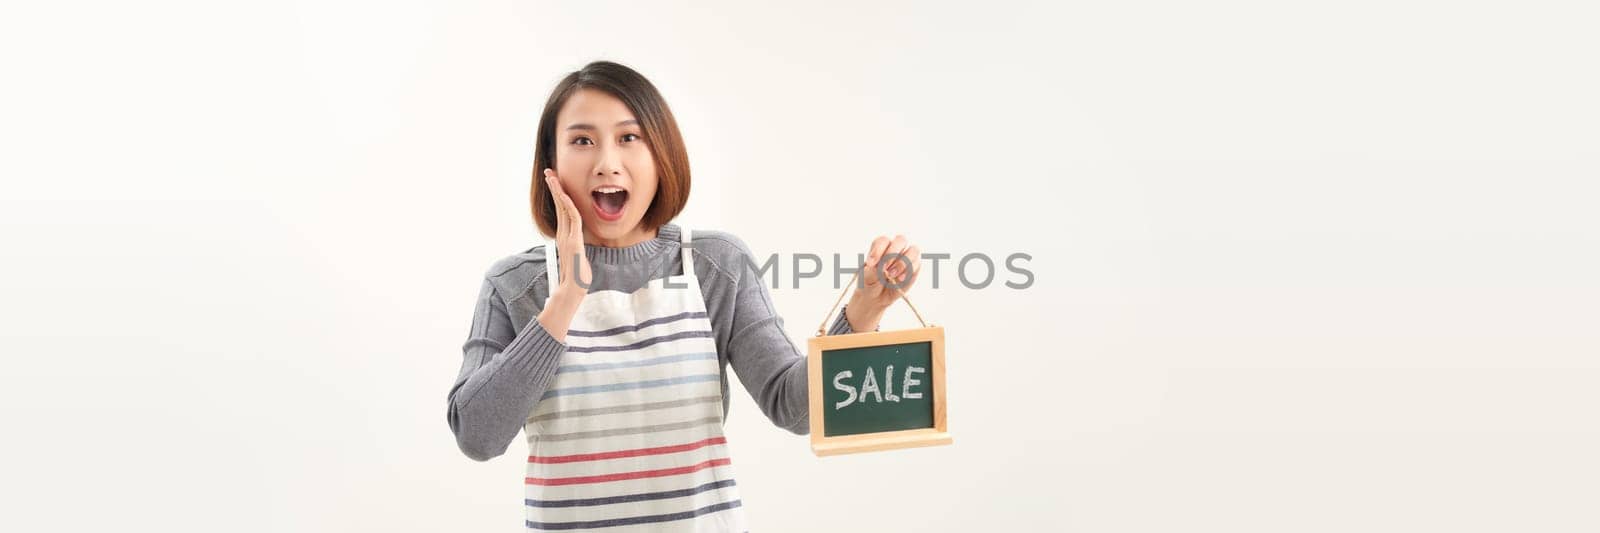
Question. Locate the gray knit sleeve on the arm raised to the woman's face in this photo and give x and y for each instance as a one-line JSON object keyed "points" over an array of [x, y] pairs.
{"points": [[503, 375]]}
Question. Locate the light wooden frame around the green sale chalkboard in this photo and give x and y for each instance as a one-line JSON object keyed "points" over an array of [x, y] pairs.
{"points": [[881, 441]]}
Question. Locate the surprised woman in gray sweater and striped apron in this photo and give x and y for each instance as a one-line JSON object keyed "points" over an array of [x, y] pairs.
{"points": [[618, 374]]}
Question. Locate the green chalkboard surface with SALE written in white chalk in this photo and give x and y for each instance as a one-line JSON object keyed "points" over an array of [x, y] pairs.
{"points": [[878, 388]]}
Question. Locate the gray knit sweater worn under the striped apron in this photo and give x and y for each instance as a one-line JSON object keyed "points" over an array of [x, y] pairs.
{"points": [[510, 358]]}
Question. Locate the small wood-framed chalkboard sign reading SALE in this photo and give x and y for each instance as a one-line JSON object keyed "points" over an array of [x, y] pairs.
{"points": [[878, 391]]}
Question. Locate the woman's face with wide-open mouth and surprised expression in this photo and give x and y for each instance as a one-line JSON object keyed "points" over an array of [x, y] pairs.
{"points": [[606, 167]]}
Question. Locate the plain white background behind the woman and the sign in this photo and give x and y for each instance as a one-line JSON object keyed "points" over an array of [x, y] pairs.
{"points": [[1313, 268]]}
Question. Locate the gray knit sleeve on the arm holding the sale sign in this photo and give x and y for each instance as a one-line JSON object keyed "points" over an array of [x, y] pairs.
{"points": [[766, 359]]}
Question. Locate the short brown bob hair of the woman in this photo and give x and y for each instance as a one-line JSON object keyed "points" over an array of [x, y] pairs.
{"points": [[660, 132]]}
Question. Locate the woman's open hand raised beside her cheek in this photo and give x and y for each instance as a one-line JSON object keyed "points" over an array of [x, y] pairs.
{"points": [[566, 294]]}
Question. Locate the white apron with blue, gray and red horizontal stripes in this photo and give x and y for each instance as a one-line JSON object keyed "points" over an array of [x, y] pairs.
{"points": [[628, 438]]}
